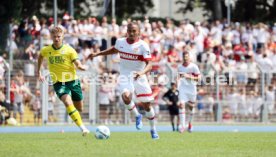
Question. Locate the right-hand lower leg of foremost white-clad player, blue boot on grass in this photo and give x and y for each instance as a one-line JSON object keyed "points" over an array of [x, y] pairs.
{"points": [[150, 114]]}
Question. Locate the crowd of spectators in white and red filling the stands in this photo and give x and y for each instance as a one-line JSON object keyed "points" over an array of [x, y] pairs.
{"points": [[238, 51]]}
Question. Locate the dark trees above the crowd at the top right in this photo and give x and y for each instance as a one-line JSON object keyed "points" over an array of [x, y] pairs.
{"points": [[243, 10]]}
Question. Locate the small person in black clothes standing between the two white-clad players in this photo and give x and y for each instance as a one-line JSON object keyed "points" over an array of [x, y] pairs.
{"points": [[171, 98]]}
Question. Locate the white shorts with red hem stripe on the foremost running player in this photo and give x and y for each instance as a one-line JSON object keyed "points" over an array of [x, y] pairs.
{"points": [[139, 87]]}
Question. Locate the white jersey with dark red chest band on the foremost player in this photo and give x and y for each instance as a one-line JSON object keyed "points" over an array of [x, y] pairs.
{"points": [[132, 56]]}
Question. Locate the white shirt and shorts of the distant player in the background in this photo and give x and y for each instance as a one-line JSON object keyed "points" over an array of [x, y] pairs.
{"points": [[187, 85]]}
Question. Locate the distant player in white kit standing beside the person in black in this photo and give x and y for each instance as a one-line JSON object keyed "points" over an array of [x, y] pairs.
{"points": [[189, 75]]}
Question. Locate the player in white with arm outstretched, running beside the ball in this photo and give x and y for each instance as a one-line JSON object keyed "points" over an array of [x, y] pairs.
{"points": [[134, 64]]}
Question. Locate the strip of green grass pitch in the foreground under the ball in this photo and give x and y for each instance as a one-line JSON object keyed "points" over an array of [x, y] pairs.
{"points": [[139, 144]]}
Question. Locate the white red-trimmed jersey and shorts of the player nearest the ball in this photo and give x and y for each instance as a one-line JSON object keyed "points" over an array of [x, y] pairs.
{"points": [[132, 59]]}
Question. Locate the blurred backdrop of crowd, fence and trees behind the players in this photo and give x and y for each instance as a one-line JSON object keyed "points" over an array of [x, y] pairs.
{"points": [[232, 41]]}
